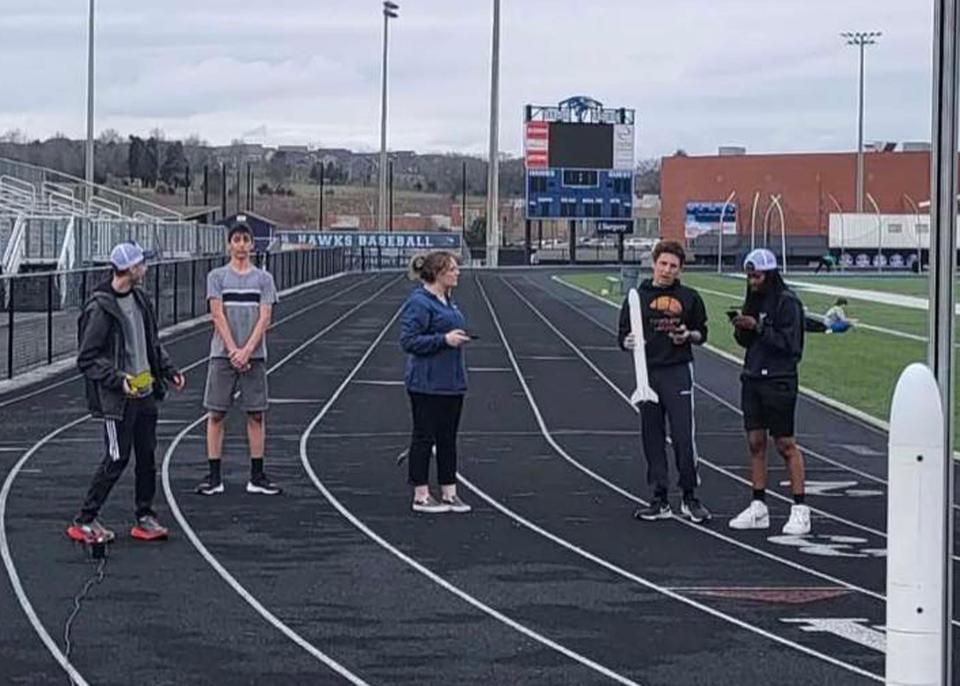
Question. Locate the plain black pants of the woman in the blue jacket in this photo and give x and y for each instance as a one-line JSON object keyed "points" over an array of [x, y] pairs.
{"points": [[436, 419]]}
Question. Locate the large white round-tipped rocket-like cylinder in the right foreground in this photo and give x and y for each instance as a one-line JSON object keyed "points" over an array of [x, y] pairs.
{"points": [[915, 550]]}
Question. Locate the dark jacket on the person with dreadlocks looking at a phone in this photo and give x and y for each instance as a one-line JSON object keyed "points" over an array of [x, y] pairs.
{"points": [[775, 349]]}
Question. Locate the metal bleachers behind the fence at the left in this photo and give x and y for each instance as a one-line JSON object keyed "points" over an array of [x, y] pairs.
{"points": [[54, 221]]}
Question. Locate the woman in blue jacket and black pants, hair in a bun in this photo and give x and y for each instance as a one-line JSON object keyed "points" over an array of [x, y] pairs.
{"points": [[432, 334]]}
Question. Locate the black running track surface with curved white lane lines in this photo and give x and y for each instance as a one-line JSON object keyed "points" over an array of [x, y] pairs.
{"points": [[548, 581]]}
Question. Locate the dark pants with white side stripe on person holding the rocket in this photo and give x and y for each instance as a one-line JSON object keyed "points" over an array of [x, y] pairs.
{"points": [[674, 386]]}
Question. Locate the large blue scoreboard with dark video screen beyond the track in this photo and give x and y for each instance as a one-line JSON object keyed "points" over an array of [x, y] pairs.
{"points": [[579, 159]]}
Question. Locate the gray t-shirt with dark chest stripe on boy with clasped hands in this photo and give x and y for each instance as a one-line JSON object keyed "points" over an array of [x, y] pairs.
{"points": [[242, 295]]}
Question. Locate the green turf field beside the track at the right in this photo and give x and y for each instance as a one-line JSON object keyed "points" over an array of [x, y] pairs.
{"points": [[859, 368]]}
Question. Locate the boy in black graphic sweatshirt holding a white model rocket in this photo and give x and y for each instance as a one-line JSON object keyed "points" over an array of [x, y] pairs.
{"points": [[669, 319]]}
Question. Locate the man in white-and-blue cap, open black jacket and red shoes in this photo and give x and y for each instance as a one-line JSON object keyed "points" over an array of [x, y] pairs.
{"points": [[127, 371]]}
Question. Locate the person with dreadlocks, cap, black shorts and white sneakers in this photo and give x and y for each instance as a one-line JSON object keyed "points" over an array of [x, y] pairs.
{"points": [[770, 327]]}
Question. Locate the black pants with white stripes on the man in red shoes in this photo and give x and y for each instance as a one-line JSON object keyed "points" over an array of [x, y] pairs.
{"points": [[137, 432]]}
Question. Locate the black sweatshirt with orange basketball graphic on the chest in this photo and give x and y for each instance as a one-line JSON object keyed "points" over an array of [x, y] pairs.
{"points": [[663, 310]]}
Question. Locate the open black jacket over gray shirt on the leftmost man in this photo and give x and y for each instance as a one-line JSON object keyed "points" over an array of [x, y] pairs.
{"points": [[100, 357]]}
